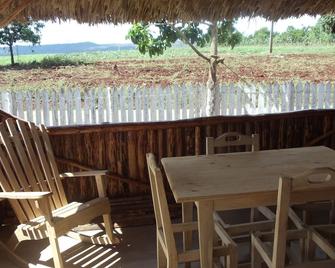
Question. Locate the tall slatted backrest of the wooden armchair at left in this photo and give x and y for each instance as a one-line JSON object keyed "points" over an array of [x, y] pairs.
{"points": [[27, 164]]}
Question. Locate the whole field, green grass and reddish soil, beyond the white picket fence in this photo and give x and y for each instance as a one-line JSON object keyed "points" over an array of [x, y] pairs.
{"points": [[177, 65]]}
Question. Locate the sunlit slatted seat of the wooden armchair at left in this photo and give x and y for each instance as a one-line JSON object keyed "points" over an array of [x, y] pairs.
{"points": [[66, 218]]}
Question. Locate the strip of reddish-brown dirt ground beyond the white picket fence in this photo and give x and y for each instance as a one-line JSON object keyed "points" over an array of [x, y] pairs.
{"points": [[305, 67]]}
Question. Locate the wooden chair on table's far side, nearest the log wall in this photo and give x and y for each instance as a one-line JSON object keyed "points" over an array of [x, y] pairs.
{"points": [[231, 139]]}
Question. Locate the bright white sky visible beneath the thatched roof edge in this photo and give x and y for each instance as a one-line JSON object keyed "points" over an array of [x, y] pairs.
{"points": [[72, 32]]}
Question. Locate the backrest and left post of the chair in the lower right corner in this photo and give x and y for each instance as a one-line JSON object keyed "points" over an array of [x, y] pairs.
{"points": [[314, 179]]}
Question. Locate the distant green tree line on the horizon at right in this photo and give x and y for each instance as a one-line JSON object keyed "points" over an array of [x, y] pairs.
{"points": [[322, 33]]}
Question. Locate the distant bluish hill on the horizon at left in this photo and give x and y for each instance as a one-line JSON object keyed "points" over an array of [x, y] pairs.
{"points": [[66, 48]]}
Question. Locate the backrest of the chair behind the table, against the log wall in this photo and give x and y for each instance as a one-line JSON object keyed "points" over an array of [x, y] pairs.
{"points": [[232, 139]]}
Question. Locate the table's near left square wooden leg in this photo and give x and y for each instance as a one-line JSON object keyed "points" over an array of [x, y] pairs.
{"points": [[206, 231]]}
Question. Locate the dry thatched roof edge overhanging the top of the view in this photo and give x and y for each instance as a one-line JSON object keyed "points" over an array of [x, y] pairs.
{"points": [[118, 11]]}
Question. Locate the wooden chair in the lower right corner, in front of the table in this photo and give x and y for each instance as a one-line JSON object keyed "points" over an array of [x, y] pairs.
{"points": [[318, 178]]}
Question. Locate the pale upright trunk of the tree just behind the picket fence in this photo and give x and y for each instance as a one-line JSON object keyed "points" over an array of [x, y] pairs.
{"points": [[212, 103]]}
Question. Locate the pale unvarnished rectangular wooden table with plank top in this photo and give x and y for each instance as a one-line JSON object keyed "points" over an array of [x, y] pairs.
{"points": [[239, 180]]}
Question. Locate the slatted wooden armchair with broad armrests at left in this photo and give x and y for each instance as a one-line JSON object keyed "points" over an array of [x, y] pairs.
{"points": [[29, 178]]}
